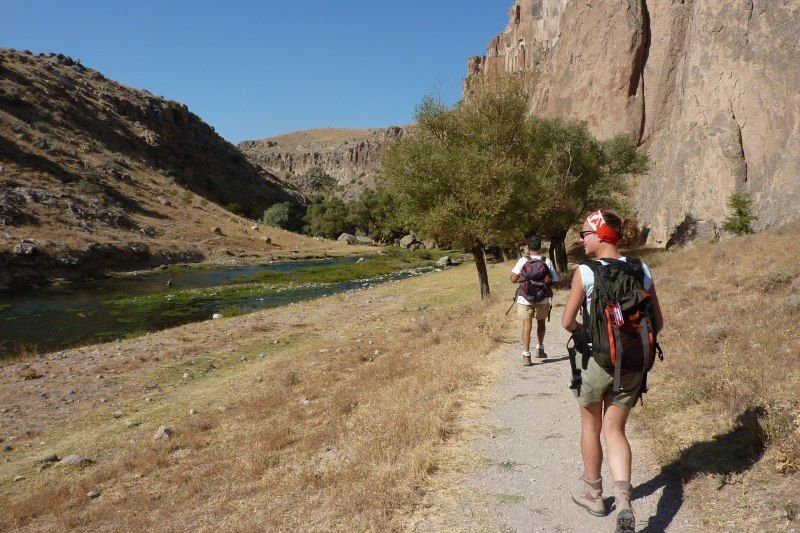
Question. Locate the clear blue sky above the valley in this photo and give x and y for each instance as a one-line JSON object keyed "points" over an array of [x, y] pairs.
{"points": [[255, 69]]}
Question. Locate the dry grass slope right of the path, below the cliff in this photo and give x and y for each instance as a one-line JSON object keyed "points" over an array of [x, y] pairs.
{"points": [[724, 406]]}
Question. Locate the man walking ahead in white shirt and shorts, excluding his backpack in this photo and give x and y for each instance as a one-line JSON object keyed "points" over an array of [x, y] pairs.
{"points": [[527, 310]]}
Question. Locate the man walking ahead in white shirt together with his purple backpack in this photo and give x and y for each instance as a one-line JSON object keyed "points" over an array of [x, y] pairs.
{"points": [[534, 273]]}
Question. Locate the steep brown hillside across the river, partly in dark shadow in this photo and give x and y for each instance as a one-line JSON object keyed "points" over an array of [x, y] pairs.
{"points": [[94, 175]]}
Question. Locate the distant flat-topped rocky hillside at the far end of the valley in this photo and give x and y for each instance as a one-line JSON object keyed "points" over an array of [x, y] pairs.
{"points": [[349, 156]]}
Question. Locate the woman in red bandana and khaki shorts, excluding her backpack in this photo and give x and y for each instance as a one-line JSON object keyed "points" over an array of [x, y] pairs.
{"points": [[601, 408]]}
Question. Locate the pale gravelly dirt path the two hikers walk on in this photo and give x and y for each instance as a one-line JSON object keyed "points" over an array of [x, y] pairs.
{"points": [[529, 461]]}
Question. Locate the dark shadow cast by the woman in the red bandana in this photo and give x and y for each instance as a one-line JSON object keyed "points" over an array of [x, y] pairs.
{"points": [[729, 453]]}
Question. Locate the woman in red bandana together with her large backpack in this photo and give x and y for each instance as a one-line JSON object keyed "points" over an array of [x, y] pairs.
{"points": [[617, 339]]}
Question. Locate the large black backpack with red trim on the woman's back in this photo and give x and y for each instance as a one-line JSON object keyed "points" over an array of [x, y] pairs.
{"points": [[621, 322]]}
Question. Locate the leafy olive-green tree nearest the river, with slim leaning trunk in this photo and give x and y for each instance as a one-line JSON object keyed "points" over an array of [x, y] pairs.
{"points": [[456, 178]]}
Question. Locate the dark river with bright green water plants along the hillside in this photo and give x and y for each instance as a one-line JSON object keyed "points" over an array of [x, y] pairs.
{"points": [[81, 313]]}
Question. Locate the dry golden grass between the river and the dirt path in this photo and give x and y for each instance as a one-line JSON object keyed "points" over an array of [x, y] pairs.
{"points": [[342, 439]]}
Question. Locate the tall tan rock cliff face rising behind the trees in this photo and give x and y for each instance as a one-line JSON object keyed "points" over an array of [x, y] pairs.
{"points": [[711, 90]]}
